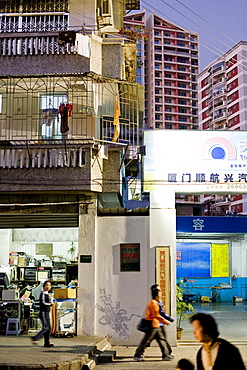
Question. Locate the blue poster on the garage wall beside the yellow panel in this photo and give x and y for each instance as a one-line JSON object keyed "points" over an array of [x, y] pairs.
{"points": [[193, 260]]}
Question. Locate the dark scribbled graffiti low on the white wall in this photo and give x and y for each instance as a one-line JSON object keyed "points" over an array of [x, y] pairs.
{"points": [[113, 315]]}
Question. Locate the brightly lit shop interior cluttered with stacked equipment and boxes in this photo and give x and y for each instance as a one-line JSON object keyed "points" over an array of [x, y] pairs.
{"points": [[29, 257]]}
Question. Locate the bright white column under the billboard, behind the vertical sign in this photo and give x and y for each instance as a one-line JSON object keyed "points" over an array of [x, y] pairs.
{"points": [[163, 233]]}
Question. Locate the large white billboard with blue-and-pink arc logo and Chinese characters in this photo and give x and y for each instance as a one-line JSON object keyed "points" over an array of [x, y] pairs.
{"points": [[215, 159]]}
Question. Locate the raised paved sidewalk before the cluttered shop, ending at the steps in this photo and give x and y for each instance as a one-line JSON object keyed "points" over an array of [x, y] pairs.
{"points": [[17, 352]]}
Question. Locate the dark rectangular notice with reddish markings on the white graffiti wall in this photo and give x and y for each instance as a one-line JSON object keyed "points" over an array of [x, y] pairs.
{"points": [[130, 257]]}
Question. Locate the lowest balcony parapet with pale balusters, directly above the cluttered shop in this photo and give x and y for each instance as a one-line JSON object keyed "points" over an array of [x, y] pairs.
{"points": [[28, 166]]}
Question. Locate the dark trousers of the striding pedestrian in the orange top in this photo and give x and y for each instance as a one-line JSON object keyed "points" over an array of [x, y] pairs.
{"points": [[147, 339]]}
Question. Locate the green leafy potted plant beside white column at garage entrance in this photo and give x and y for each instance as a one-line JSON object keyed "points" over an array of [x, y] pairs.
{"points": [[184, 309]]}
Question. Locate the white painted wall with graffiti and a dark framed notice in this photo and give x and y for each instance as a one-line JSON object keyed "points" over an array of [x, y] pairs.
{"points": [[121, 297]]}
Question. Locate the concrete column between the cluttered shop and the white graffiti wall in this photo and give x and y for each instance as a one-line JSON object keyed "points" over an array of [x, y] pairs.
{"points": [[87, 271]]}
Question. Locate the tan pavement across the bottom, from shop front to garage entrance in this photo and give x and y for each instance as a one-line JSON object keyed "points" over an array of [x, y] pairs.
{"points": [[17, 353]]}
